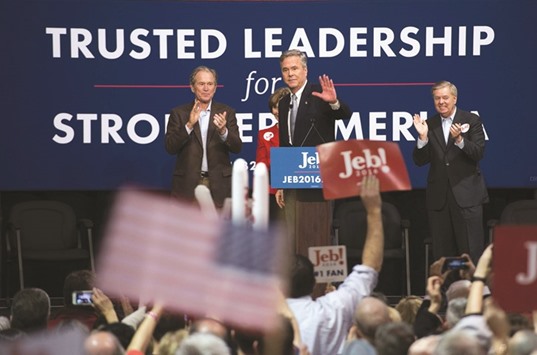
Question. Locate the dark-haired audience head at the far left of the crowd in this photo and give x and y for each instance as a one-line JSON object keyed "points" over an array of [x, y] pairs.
{"points": [[30, 310]]}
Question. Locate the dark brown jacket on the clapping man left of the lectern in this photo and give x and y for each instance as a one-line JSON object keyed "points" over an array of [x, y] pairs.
{"points": [[189, 151]]}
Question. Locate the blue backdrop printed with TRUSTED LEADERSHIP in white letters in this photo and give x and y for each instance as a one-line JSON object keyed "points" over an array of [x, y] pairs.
{"points": [[86, 86]]}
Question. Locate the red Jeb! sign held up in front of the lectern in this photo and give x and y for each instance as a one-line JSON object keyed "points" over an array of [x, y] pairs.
{"points": [[343, 164]]}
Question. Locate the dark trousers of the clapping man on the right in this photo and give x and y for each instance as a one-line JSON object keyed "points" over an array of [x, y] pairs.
{"points": [[457, 230]]}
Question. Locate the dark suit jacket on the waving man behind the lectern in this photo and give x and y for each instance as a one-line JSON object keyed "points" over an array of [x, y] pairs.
{"points": [[312, 112]]}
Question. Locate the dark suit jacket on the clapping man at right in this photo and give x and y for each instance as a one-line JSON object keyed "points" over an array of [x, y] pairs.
{"points": [[452, 167]]}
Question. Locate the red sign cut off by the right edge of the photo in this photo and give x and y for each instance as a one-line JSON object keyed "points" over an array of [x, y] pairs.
{"points": [[515, 268]]}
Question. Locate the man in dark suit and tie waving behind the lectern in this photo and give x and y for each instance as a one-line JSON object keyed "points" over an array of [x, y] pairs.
{"points": [[317, 107]]}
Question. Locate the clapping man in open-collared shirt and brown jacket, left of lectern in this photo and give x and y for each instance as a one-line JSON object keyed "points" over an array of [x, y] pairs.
{"points": [[201, 134]]}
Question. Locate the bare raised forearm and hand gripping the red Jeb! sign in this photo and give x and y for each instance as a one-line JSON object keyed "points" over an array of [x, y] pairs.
{"points": [[373, 253]]}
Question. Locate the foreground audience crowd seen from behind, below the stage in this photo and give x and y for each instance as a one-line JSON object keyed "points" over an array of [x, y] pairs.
{"points": [[457, 315]]}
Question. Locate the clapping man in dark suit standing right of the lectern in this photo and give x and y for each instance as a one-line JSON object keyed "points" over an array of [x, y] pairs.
{"points": [[453, 143]]}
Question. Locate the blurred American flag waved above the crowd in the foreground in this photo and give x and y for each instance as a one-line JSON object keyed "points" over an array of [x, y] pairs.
{"points": [[156, 248]]}
